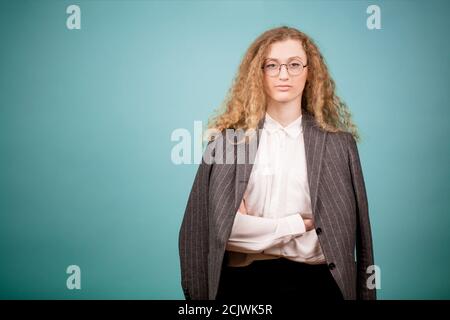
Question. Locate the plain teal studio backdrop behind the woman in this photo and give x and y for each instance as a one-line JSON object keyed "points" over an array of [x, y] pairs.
{"points": [[86, 117]]}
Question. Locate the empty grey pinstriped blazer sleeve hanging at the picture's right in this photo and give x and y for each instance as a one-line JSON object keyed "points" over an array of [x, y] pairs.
{"points": [[364, 247]]}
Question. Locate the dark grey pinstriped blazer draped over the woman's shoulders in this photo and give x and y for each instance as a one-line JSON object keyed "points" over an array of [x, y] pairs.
{"points": [[338, 201]]}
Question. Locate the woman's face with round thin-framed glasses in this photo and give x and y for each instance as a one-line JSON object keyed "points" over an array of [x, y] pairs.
{"points": [[284, 86]]}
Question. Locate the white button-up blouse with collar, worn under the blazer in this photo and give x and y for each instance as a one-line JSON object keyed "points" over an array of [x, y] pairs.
{"points": [[277, 197]]}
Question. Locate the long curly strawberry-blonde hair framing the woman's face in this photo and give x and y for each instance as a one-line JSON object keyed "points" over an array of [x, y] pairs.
{"points": [[245, 103]]}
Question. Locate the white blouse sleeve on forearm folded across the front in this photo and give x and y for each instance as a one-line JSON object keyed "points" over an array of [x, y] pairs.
{"points": [[252, 234]]}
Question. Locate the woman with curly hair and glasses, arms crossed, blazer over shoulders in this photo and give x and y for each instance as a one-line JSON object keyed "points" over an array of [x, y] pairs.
{"points": [[286, 221]]}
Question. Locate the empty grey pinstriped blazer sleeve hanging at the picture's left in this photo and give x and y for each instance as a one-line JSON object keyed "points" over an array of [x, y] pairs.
{"points": [[193, 236]]}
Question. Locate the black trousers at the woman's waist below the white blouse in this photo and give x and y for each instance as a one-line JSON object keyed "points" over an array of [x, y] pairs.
{"points": [[276, 279]]}
